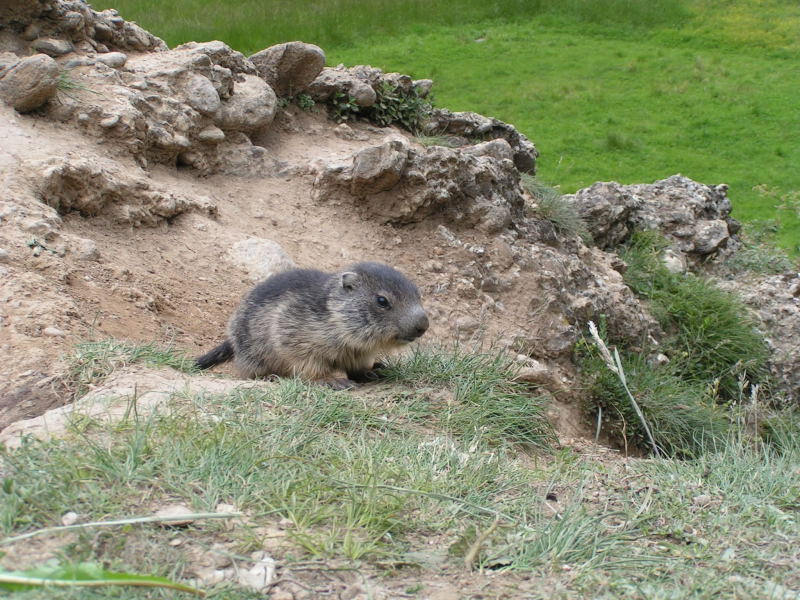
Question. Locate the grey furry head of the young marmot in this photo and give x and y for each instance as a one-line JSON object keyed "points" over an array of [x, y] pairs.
{"points": [[381, 305]]}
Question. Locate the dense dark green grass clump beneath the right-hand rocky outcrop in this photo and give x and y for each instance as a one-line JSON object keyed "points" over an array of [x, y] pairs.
{"points": [[715, 357]]}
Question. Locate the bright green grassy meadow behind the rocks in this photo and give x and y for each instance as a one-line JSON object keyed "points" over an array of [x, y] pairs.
{"points": [[624, 90]]}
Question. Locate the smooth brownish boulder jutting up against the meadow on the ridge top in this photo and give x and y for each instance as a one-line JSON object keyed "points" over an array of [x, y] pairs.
{"points": [[289, 68]]}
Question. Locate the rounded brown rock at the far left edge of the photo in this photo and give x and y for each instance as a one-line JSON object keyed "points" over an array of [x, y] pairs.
{"points": [[30, 83]]}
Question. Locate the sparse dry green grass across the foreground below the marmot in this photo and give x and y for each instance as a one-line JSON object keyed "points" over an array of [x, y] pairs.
{"points": [[368, 479]]}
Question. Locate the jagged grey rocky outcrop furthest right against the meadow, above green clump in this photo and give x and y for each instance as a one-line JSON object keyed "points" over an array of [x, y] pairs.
{"points": [[694, 216]]}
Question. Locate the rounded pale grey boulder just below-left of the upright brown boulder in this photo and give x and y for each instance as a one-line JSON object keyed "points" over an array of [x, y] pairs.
{"points": [[251, 108]]}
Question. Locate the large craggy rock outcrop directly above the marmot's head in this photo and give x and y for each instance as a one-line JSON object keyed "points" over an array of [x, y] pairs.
{"points": [[400, 184]]}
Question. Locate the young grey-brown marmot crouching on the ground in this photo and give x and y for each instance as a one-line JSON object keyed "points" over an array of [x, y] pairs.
{"points": [[312, 324]]}
